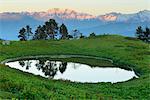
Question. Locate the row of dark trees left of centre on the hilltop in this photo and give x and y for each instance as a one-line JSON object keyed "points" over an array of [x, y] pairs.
{"points": [[50, 30]]}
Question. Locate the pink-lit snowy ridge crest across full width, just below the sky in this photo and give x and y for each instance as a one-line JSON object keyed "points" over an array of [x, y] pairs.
{"points": [[72, 14]]}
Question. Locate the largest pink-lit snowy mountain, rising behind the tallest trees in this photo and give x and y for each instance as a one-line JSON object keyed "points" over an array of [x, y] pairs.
{"points": [[51, 13]]}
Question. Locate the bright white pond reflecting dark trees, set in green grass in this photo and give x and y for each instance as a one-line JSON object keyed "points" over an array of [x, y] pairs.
{"points": [[75, 72]]}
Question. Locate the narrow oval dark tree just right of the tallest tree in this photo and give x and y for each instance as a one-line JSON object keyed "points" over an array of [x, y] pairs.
{"points": [[63, 31]]}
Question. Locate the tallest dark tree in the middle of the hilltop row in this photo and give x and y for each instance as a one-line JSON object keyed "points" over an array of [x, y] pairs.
{"points": [[51, 28]]}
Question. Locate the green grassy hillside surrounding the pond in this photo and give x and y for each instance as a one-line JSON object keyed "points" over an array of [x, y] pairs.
{"points": [[123, 51]]}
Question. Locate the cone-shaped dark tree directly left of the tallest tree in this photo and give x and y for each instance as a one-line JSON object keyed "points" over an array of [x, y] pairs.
{"points": [[40, 34]]}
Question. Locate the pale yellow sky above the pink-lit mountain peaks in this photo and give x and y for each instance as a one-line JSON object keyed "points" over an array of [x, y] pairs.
{"points": [[94, 7]]}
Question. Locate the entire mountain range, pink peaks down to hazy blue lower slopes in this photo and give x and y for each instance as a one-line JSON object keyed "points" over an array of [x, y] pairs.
{"points": [[110, 23]]}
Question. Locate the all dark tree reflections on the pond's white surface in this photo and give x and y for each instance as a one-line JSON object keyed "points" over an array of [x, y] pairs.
{"points": [[49, 68]]}
